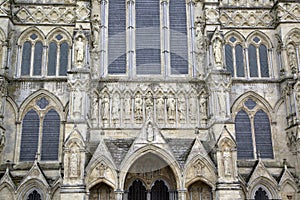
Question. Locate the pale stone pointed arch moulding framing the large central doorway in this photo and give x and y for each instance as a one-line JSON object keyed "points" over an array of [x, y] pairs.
{"points": [[163, 154]]}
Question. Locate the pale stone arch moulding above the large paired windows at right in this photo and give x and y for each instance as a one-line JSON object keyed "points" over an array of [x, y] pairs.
{"points": [[237, 104]]}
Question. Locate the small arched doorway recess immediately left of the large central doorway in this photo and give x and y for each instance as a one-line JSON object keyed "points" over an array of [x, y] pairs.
{"points": [[102, 191]]}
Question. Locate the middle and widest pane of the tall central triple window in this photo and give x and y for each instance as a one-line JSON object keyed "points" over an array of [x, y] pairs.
{"points": [[148, 37]]}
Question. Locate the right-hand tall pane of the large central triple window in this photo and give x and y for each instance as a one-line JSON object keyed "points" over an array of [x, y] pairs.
{"points": [[178, 37]]}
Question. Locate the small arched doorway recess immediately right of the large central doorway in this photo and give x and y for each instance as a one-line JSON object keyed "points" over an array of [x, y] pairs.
{"points": [[200, 190]]}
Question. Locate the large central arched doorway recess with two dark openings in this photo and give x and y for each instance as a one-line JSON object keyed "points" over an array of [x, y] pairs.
{"points": [[150, 178]]}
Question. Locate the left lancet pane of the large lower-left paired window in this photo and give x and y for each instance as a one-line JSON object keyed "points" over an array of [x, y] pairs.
{"points": [[30, 136]]}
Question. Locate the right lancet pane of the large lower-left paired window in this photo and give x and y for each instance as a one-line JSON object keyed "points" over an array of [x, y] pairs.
{"points": [[50, 140]]}
